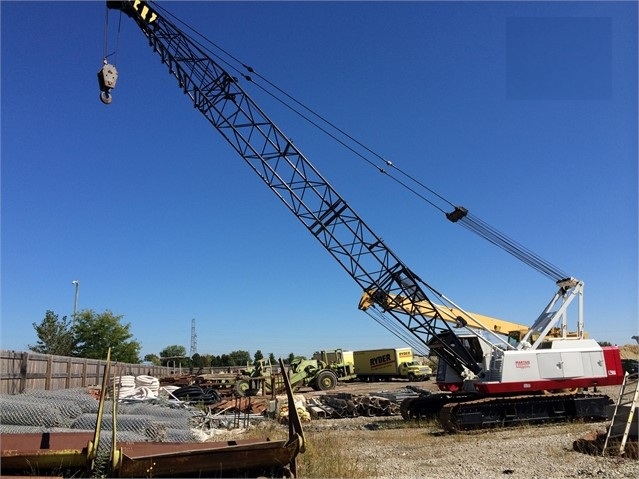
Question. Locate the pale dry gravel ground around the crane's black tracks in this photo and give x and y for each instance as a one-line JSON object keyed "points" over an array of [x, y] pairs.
{"points": [[426, 451]]}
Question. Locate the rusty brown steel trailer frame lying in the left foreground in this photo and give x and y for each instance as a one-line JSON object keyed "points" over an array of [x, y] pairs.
{"points": [[62, 452]]}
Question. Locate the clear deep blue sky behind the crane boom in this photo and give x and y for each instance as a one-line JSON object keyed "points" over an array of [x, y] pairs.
{"points": [[524, 112]]}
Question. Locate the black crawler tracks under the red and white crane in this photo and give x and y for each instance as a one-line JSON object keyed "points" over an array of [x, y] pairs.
{"points": [[467, 411]]}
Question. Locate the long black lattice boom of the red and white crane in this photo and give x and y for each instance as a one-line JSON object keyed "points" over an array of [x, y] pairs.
{"points": [[280, 164]]}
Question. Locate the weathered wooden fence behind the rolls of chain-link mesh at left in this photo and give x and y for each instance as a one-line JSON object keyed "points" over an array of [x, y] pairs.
{"points": [[20, 370]]}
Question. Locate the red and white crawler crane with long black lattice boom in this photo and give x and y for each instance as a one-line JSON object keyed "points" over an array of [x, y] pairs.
{"points": [[487, 380]]}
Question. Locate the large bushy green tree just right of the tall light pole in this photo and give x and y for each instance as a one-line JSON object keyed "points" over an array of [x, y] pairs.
{"points": [[95, 333]]}
